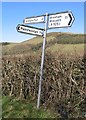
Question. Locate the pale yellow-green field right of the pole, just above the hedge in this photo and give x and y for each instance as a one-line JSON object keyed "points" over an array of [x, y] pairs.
{"points": [[66, 49]]}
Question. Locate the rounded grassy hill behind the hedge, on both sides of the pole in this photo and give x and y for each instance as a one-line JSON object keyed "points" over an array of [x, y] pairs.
{"points": [[34, 45]]}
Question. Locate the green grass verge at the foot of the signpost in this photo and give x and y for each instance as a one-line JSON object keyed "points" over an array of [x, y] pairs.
{"points": [[15, 108]]}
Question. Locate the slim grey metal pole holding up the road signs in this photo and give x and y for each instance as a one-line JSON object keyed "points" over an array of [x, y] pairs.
{"points": [[42, 62]]}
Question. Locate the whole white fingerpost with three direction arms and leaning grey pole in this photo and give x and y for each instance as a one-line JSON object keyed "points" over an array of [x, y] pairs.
{"points": [[56, 20]]}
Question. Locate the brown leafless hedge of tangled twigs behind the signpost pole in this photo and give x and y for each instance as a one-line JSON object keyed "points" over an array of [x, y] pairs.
{"points": [[63, 85]]}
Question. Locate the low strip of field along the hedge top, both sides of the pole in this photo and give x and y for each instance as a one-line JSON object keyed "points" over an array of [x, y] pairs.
{"points": [[73, 49]]}
